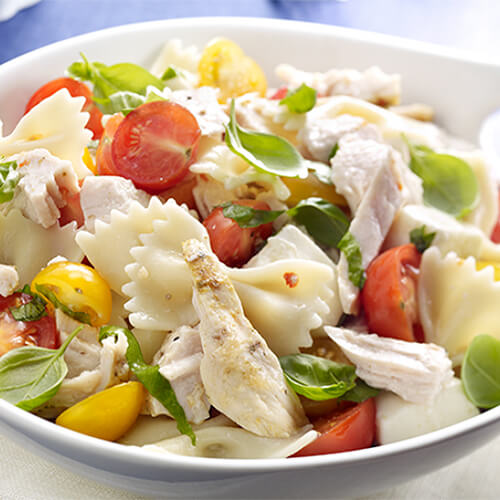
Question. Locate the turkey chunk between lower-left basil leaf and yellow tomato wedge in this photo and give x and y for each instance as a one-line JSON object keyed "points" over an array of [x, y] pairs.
{"points": [[91, 366]]}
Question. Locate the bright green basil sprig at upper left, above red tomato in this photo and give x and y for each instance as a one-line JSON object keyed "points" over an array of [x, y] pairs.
{"points": [[109, 80]]}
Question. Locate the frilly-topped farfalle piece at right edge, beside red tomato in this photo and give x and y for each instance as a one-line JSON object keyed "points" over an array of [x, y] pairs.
{"points": [[456, 302]]}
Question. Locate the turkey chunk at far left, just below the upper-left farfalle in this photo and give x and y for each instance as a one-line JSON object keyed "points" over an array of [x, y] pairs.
{"points": [[44, 182]]}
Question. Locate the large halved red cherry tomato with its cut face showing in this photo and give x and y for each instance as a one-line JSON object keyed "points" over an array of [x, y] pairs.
{"points": [[155, 144]]}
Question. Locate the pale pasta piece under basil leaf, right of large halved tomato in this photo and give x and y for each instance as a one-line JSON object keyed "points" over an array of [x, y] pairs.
{"points": [[232, 171]]}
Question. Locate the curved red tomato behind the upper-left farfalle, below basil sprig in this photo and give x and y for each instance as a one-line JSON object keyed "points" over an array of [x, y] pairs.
{"points": [[76, 89]]}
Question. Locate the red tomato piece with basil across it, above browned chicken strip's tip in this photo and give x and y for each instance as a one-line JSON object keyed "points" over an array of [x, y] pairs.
{"points": [[233, 244]]}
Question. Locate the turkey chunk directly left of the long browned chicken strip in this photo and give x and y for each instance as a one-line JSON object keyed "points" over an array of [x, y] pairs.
{"points": [[179, 360]]}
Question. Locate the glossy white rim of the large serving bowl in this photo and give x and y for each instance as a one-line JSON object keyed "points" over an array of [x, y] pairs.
{"points": [[17, 418]]}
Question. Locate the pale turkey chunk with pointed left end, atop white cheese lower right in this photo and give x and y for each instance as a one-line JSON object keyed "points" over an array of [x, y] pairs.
{"points": [[416, 372]]}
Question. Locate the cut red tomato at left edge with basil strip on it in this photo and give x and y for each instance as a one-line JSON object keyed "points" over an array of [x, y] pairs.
{"points": [[14, 333]]}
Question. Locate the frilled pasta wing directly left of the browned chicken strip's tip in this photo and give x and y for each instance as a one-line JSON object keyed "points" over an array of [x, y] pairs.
{"points": [[161, 287]]}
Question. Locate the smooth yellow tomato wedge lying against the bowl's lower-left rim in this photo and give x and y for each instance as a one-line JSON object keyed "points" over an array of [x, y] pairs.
{"points": [[109, 414]]}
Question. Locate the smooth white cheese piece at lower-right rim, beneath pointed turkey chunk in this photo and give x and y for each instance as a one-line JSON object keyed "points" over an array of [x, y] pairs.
{"points": [[398, 419]]}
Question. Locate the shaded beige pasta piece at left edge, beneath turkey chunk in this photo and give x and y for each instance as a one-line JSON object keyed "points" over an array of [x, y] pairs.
{"points": [[29, 247]]}
